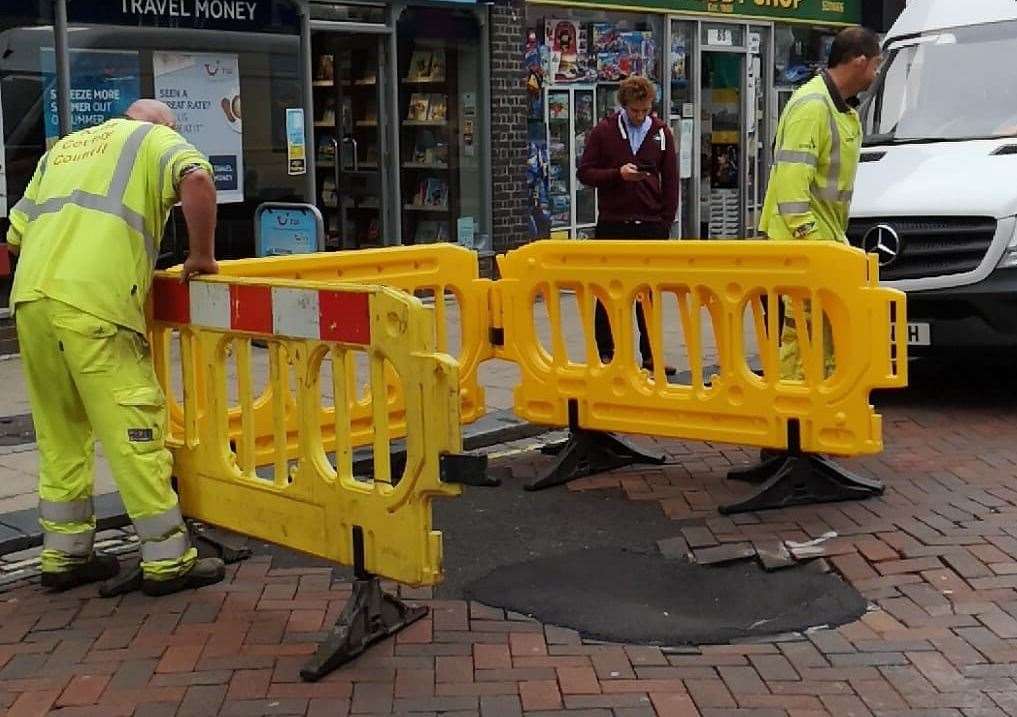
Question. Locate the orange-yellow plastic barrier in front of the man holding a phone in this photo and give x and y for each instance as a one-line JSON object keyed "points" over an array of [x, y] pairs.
{"points": [[721, 286]]}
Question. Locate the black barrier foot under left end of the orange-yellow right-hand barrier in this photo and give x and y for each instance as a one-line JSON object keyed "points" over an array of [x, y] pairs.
{"points": [[589, 452]]}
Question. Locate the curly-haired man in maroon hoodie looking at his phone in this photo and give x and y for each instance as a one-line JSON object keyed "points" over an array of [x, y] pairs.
{"points": [[630, 159]]}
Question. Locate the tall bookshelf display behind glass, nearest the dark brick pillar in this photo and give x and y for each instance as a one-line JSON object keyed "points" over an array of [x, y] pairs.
{"points": [[429, 173]]}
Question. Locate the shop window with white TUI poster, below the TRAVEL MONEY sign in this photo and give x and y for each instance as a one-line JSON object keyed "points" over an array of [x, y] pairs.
{"points": [[229, 78]]}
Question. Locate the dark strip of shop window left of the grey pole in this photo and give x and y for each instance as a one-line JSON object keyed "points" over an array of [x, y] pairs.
{"points": [[24, 34]]}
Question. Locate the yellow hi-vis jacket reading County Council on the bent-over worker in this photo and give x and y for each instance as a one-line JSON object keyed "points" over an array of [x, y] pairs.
{"points": [[92, 219]]}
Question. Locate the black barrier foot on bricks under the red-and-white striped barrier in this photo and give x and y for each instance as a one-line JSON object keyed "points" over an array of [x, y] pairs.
{"points": [[371, 616]]}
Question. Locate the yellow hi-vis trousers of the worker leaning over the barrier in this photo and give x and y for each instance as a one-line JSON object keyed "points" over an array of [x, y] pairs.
{"points": [[86, 375]]}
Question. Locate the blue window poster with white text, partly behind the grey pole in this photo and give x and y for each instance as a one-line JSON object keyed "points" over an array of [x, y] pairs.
{"points": [[103, 85]]}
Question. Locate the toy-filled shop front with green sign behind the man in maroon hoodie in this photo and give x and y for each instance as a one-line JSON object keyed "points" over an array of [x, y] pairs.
{"points": [[724, 71]]}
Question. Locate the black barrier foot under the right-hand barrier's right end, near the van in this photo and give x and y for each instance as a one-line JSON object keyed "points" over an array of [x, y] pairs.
{"points": [[799, 480]]}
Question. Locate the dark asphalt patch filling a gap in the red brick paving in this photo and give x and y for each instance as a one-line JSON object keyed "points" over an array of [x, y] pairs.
{"points": [[589, 561]]}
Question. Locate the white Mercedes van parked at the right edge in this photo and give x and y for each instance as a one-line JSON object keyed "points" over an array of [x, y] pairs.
{"points": [[936, 197]]}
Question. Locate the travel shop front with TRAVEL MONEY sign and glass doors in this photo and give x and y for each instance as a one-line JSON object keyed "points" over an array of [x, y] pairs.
{"points": [[378, 113]]}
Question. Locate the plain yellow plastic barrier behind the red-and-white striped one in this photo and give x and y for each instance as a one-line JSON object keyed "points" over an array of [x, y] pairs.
{"points": [[439, 271]]}
